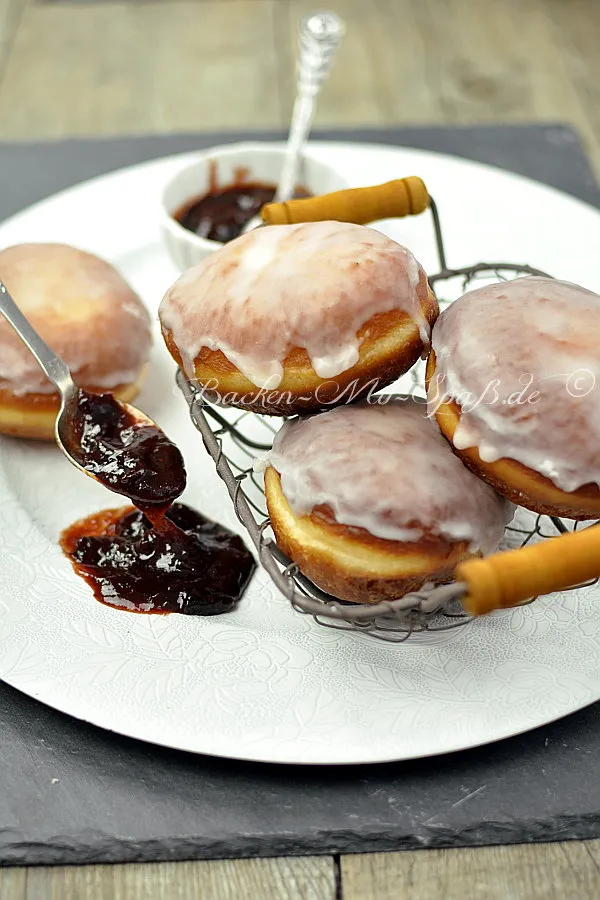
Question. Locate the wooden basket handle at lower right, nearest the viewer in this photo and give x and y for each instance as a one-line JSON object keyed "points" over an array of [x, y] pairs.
{"points": [[511, 577]]}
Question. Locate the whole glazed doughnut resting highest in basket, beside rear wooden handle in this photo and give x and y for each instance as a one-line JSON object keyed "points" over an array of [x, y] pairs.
{"points": [[297, 317]]}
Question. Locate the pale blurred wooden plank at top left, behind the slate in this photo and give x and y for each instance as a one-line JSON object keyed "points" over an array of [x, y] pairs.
{"points": [[113, 68]]}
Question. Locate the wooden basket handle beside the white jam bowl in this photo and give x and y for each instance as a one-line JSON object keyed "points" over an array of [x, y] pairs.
{"points": [[394, 199]]}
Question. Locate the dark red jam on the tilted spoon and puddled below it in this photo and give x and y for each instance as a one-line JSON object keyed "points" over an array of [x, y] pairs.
{"points": [[160, 557]]}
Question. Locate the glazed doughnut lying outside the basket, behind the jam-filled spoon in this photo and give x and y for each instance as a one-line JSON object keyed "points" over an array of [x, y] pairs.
{"points": [[87, 313]]}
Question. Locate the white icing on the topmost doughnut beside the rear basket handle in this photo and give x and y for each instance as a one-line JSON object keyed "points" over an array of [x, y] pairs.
{"points": [[311, 286]]}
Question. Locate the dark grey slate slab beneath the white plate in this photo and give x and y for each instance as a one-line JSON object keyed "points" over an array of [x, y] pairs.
{"points": [[70, 793]]}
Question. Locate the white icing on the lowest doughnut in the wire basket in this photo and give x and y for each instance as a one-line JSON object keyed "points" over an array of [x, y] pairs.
{"points": [[387, 469]]}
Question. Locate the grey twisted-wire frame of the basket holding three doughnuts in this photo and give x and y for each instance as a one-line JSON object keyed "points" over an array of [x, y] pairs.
{"points": [[235, 439]]}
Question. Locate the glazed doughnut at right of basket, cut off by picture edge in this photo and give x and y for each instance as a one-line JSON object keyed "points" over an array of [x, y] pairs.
{"points": [[513, 380]]}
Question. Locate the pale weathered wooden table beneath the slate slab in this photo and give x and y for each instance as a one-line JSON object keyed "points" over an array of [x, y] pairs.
{"points": [[105, 68]]}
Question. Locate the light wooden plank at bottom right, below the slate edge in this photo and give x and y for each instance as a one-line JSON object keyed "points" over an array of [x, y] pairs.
{"points": [[524, 872]]}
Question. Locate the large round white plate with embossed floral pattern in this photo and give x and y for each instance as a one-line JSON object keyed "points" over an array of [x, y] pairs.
{"points": [[265, 683]]}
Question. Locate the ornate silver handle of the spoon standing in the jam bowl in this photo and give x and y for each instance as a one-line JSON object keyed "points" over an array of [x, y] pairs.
{"points": [[320, 35]]}
